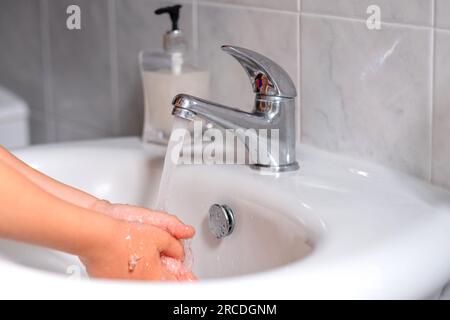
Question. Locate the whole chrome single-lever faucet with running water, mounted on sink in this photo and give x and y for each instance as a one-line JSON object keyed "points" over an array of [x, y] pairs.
{"points": [[274, 111]]}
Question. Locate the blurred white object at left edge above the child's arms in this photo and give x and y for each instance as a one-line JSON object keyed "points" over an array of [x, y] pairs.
{"points": [[14, 127]]}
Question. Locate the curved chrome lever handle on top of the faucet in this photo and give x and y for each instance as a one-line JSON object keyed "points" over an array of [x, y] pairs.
{"points": [[266, 76]]}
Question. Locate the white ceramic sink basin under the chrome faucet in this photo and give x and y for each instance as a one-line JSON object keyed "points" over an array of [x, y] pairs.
{"points": [[338, 228]]}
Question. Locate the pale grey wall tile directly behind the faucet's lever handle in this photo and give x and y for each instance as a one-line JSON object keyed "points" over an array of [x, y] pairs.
{"points": [[272, 34]]}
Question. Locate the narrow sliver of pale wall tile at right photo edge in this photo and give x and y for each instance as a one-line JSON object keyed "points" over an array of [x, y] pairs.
{"points": [[441, 119]]}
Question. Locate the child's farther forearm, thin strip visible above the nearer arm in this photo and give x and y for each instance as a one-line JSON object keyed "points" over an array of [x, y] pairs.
{"points": [[50, 185]]}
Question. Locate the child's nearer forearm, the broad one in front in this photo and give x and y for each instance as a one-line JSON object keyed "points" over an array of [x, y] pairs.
{"points": [[30, 214]]}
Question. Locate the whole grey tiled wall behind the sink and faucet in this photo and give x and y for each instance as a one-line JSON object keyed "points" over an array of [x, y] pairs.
{"points": [[381, 95]]}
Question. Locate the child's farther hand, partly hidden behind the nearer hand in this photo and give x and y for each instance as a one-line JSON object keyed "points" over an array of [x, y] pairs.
{"points": [[129, 213]]}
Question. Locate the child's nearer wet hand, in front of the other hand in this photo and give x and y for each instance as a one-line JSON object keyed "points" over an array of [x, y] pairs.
{"points": [[133, 251]]}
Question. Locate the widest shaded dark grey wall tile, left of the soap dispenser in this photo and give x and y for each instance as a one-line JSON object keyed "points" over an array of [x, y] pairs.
{"points": [[80, 64]]}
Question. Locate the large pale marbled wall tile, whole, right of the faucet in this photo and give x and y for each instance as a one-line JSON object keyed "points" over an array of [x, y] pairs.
{"points": [[366, 93]]}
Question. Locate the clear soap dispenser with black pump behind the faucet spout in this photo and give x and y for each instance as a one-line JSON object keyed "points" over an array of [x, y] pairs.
{"points": [[166, 74]]}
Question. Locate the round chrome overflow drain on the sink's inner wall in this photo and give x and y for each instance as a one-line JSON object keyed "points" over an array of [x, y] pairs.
{"points": [[221, 220]]}
